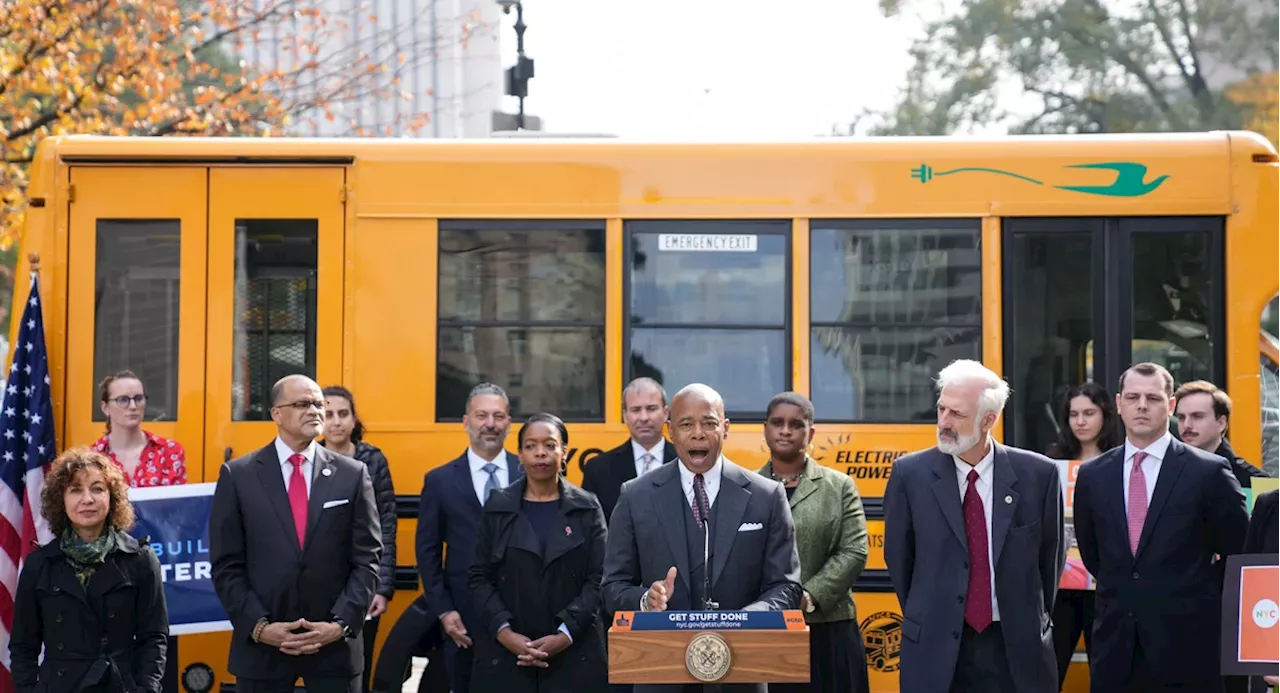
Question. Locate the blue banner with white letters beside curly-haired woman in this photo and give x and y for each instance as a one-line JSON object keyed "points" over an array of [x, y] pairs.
{"points": [[175, 521]]}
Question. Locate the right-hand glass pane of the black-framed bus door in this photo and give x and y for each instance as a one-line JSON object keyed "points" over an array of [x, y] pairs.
{"points": [[1173, 303]]}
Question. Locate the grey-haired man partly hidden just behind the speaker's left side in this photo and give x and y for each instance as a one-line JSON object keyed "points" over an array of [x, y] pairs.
{"points": [[644, 411]]}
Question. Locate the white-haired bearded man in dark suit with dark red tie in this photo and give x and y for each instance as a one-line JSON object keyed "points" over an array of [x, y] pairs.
{"points": [[975, 544]]}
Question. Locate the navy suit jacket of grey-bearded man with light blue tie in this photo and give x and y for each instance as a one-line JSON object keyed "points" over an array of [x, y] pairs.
{"points": [[449, 513]]}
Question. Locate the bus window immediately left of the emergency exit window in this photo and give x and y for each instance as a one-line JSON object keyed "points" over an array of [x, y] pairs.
{"points": [[522, 304]]}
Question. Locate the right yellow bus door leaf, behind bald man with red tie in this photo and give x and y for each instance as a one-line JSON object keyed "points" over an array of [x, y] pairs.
{"points": [[276, 275]]}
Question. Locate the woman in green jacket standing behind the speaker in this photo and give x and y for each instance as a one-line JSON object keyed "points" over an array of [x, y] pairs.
{"points": [[831, 537]]}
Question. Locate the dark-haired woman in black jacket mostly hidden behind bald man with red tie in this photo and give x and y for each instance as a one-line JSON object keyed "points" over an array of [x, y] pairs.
{"points": [[345, 435]]}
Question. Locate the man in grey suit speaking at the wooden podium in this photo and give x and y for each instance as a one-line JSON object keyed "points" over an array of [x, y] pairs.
{"points": [[702, 535]]}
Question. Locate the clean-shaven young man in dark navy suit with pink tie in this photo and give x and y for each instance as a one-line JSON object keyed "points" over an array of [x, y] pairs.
{"points": [[1155, 519]]}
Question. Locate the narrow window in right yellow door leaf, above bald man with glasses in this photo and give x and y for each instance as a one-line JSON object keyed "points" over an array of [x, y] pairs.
{"points": [[276, 311]]}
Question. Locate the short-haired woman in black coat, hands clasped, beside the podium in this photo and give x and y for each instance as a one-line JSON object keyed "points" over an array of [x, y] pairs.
{"points": [[536, 580]]}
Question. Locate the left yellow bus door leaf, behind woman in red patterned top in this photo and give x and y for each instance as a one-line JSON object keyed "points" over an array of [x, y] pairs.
{"points": [[136, 299]]}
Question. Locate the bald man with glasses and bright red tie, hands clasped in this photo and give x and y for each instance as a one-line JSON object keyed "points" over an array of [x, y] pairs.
{"points": [[295, 542]]}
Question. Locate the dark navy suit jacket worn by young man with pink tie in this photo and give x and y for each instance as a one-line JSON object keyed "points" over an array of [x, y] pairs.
{"points": [[1169, 599]]}
